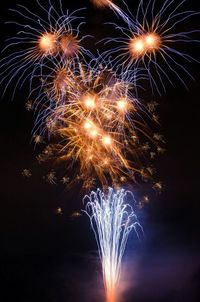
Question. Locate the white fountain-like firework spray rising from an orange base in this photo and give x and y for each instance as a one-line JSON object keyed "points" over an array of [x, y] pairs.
{"points": [[112, 219]]}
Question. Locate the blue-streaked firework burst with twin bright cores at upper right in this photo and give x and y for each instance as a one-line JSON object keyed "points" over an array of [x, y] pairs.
{"points": [[153, 39]]}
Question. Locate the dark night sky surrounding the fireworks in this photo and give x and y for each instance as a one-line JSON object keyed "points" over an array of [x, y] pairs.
{"points": [[47, 257]]}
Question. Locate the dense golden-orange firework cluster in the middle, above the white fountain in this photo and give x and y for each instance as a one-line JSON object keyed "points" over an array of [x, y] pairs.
{"points": [[92, 122]]}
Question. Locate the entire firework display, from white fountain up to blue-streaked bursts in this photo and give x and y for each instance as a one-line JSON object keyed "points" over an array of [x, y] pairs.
{"points": [[87, 106]]}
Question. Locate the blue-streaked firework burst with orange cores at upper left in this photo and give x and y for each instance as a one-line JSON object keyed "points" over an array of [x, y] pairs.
{"points": [[40, 39]]}
